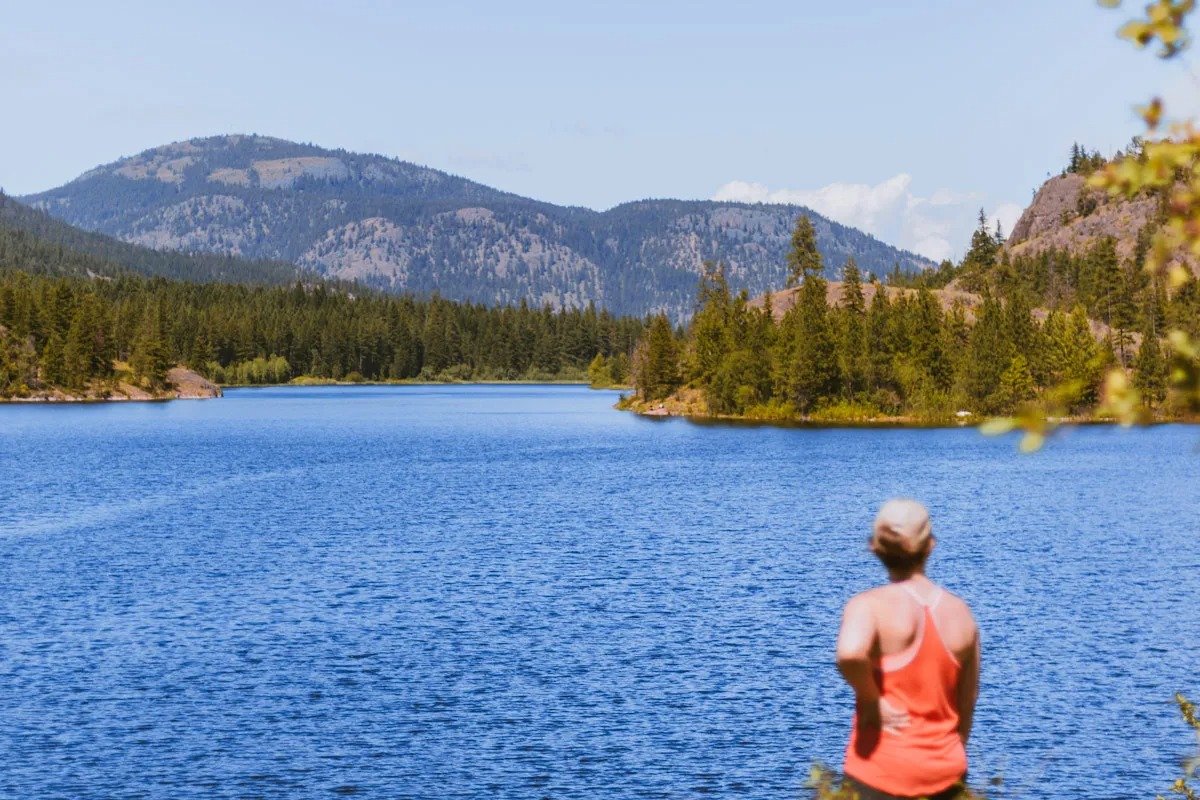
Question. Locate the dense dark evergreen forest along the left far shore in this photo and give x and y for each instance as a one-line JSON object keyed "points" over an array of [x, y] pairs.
{"points": [[69, 338]]}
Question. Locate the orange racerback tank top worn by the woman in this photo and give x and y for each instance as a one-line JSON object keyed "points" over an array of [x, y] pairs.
{"points": [[928, 756]]}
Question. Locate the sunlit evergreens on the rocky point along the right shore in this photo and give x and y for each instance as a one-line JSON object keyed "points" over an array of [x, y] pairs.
{"points": [[1043, 332]]}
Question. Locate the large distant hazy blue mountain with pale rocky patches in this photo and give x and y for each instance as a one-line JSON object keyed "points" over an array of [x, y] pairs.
{"points": [[399, 226]]}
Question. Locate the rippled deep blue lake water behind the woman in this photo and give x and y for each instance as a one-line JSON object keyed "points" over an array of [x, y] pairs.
{"points": [[520, 593]]}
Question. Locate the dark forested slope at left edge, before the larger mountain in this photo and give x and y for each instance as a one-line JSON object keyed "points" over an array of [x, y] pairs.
{"points": [[34, 242]]}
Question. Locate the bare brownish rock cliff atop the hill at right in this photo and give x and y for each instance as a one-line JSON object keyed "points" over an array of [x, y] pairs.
{"points": [[1066, 215]]}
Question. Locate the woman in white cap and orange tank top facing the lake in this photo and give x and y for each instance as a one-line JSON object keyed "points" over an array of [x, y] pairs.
{"points": [[911, 653]]}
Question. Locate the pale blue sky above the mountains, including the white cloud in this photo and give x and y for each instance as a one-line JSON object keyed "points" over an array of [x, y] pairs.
{"points": [[903, 119]]}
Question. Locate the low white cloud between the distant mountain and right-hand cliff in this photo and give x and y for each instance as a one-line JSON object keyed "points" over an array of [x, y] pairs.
{"points": [[938, 226]]}
